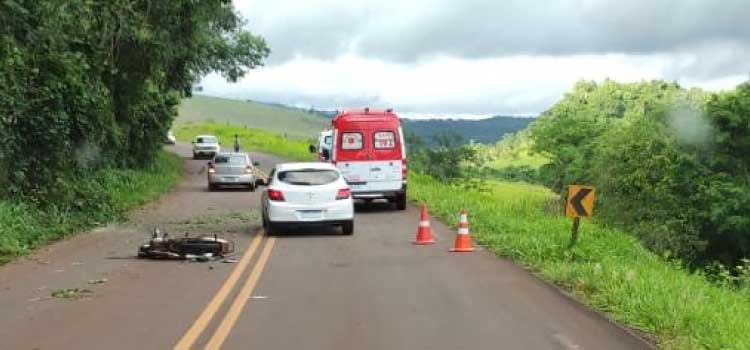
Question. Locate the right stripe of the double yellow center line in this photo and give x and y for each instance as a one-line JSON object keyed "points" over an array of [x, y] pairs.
{"points": [[239, 303]]}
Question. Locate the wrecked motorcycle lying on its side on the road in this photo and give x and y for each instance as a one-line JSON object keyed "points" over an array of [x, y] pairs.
{"points": [[202, 249]]}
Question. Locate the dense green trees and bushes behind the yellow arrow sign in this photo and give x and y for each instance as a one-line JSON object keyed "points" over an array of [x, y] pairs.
{"points": [[671, 164]]}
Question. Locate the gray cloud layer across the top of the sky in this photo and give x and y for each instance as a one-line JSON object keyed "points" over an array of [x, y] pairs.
{"points": [[417, 30]]}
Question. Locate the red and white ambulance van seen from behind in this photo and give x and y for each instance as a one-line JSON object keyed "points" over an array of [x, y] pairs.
{"points": [[368, 148]]}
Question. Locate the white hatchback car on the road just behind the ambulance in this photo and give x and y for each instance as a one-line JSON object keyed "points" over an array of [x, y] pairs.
{"points": [[304, 194]]}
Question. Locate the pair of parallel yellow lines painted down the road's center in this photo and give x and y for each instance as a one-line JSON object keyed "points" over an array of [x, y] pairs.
{"points": [[222, 331]]}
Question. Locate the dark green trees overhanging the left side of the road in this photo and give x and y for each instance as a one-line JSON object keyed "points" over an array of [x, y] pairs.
{"points": [[86, 84]]}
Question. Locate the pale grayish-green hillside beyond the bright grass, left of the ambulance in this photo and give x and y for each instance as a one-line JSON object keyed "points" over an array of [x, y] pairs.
{"points": [[255, 115]]}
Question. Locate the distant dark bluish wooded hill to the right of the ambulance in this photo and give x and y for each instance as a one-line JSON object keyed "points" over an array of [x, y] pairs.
{"points": [[481, 131]]}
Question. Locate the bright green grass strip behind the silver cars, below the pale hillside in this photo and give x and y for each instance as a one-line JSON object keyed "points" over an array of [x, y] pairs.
{"points": [[253, 139]]}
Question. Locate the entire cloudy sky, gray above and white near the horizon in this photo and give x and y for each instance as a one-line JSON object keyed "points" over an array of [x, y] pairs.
{"points": [[484, 57]]}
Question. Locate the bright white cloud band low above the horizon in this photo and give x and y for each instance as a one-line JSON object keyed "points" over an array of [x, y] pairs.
{"points": [[519, 85]]}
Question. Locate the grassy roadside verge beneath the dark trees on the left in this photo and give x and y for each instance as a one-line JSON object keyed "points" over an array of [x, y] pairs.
{"points": [[107, 195]]}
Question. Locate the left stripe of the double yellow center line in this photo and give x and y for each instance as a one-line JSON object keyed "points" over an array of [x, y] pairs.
{"points": [[208, 313]]}
